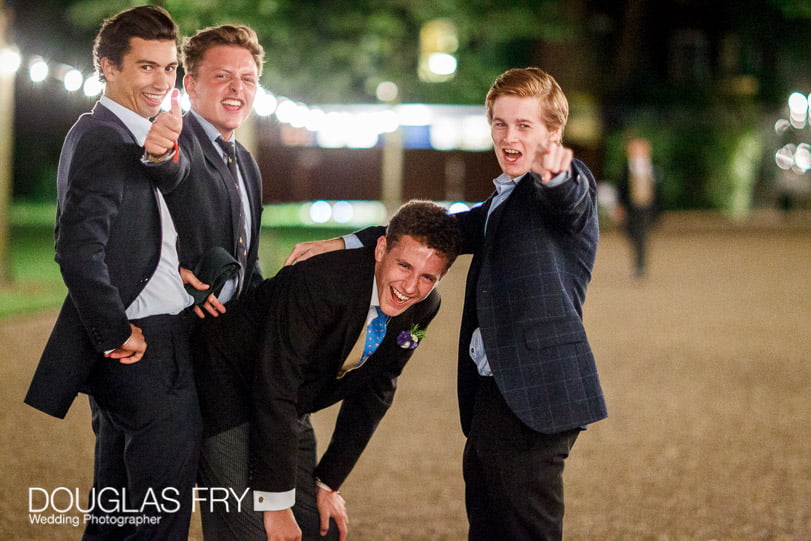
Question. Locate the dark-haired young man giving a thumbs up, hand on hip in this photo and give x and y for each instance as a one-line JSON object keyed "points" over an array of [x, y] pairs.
{"points": [[120, 336]]}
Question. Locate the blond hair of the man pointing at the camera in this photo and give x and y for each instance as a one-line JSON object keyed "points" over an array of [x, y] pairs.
{"points": [[532, 83]]}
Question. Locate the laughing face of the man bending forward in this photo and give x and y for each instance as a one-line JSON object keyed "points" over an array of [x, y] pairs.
{"points": [[406, 273]]}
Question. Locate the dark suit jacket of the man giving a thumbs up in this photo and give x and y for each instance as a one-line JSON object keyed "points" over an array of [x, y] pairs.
{"points": [[108, 236]]}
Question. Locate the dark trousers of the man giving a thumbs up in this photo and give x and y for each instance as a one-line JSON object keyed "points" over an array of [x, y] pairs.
{"points": [[148, 429]]}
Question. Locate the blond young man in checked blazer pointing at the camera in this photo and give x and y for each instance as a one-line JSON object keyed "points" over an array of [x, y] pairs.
{"points": [[527, 378]]}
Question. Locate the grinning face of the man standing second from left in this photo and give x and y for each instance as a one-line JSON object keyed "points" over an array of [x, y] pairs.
{"points": [[224, 88]]}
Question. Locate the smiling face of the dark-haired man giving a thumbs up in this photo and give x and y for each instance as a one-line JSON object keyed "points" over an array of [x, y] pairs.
{"points": [[147, 72]]}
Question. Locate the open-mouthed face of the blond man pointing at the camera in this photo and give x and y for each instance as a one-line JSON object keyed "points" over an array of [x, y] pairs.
{"points": [[518, 132]]}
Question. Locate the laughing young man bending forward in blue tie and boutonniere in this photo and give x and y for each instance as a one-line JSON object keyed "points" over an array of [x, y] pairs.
{"points": [[297, 344]]}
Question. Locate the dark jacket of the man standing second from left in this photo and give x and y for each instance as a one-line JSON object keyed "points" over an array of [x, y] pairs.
{"points": [[205, 208]]}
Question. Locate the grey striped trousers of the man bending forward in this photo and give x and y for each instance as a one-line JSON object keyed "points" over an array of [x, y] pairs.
{"points": [[224, 464]]}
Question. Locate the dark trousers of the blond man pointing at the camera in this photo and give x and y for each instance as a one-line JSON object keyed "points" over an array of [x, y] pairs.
{"points": [[513, 475]]}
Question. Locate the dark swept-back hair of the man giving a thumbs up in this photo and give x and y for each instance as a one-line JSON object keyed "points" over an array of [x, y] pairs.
{"points": [[145, 22]]}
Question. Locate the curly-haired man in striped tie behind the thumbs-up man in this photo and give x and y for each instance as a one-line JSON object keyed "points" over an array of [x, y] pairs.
{"points": [[221, 203]]}
